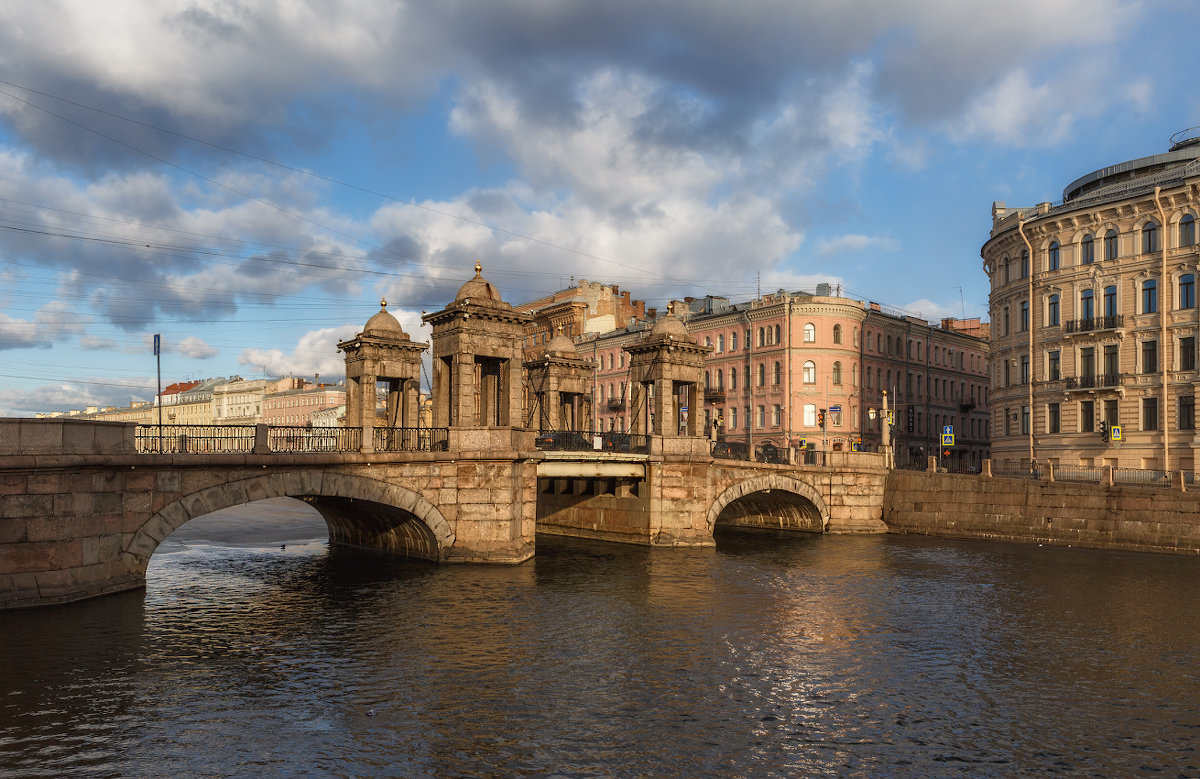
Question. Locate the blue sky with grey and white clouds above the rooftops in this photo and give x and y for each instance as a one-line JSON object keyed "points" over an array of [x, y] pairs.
{"points": [[250, 179]]}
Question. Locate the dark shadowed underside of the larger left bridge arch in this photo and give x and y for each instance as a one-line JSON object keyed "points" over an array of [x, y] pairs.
{"points": [[376, 526]]}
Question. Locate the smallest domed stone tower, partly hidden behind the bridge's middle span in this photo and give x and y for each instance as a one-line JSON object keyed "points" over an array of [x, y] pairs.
{"points": [[561, 385]]}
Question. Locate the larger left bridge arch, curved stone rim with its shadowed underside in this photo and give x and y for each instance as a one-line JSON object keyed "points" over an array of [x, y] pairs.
{"points": [[359, 512]]}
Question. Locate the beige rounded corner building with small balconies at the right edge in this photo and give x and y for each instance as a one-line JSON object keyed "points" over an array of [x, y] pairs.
{"points": [[1095, 319]]}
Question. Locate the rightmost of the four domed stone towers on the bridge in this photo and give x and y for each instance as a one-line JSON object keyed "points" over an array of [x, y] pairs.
{"points": [[667, 368]]}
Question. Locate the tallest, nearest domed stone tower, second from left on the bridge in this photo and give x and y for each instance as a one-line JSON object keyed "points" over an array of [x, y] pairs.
{"points": [[477, 358]]}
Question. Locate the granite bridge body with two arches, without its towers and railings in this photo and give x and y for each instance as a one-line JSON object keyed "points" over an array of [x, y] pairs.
{"points": [[82, 510]]}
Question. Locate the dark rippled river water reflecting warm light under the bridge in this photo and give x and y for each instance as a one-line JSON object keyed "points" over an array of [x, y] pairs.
{"points": [[256, 651]]}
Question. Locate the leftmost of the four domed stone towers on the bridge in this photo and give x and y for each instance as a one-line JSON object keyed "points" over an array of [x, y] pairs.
{"points": [[383, 352]]}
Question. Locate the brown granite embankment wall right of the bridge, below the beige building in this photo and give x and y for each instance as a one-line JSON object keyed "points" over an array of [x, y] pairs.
{"points": [[1028, 511]]}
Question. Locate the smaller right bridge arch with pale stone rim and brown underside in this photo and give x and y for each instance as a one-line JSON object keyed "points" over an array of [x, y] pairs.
{"points": [[771, 501]]}
